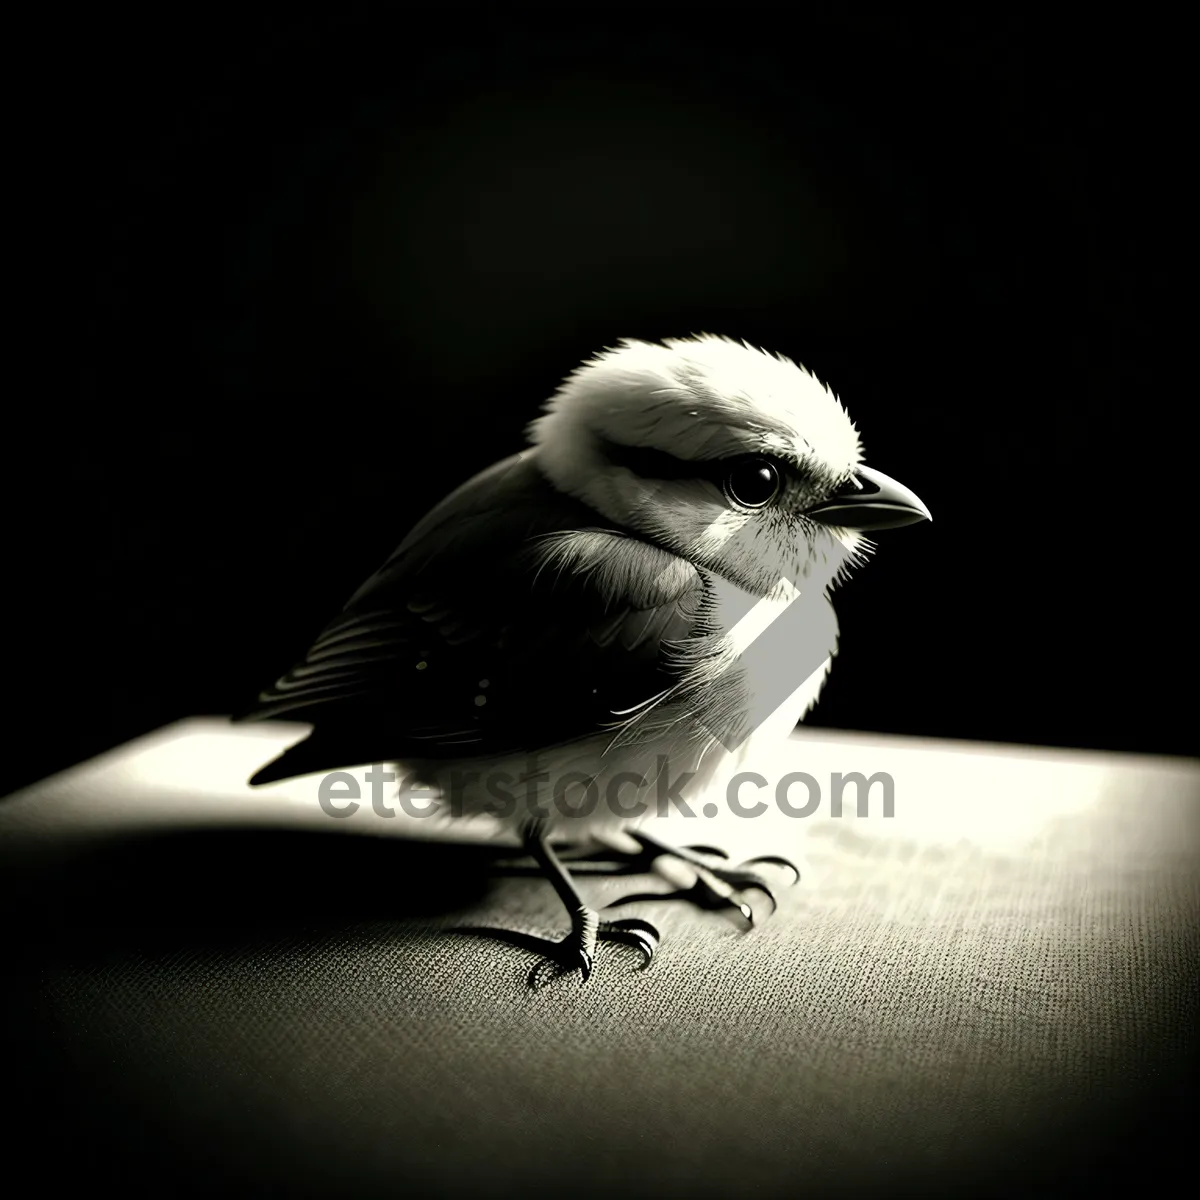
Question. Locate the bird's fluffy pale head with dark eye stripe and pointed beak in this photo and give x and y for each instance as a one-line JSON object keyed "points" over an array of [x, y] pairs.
{"points": [[737, 460]]}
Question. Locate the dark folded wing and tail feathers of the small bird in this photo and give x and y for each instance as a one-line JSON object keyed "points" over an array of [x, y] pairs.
{"points": [[509, 620]]}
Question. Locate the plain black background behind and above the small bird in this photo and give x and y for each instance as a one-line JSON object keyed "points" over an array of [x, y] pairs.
{"points": [[314, 277]]}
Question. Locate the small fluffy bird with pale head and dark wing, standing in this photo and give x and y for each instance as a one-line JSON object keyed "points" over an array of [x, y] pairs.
{"points": [[637, 602]]}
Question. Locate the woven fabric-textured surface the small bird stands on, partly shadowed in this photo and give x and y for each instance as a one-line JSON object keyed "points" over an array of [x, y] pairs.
{"points": [[992, 992]]}
